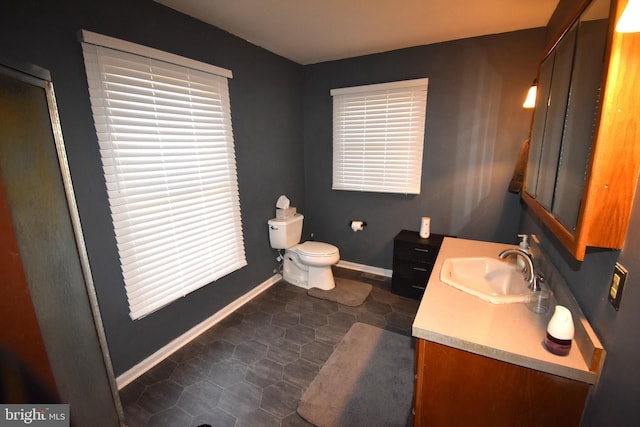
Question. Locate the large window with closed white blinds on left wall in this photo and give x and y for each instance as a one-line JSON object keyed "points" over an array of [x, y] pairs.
{"points": [[164, 130]]}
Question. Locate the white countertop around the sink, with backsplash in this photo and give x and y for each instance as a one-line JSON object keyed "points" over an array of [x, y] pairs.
{"points": [[507, 332]]}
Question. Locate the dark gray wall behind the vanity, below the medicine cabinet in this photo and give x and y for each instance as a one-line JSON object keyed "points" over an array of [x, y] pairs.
{"points": [[613, 402]]}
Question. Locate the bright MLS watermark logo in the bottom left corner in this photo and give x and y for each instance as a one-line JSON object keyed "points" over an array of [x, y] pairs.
{"points": [[34, 415]]}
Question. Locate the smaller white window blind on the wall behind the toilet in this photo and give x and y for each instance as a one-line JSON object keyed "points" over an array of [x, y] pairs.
{"points": [[378, 137]]}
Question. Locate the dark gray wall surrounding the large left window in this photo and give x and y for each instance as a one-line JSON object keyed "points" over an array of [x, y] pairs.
{"points": [[266, 106]]}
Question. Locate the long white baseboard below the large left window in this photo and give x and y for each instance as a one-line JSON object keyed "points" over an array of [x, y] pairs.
{"points": [[129, 376]]}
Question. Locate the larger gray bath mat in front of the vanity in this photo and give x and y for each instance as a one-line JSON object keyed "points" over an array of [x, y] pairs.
{"points": [[367, 381]]}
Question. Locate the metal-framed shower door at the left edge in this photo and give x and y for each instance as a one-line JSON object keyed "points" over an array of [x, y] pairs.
{"points": [[39, 206]]}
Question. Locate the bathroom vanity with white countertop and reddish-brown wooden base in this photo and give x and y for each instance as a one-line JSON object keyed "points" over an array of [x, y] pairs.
{"points": [[479, 363]]}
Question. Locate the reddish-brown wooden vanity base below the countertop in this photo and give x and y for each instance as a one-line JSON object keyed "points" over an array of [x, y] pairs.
{"points": [[457, 388]]}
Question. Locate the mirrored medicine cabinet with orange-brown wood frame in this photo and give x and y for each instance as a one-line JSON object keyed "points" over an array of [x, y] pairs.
{"points": [[582, 167]]}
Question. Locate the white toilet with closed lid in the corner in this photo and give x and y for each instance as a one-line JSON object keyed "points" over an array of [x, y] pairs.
{"points": [[307, 264]]}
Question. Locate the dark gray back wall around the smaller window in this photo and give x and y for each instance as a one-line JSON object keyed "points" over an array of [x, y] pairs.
{"points": [[474, 128]]}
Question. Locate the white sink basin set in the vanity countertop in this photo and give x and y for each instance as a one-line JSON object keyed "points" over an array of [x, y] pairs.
{"points": [[492, 279]]}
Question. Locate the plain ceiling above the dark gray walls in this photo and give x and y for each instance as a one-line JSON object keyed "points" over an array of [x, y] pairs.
{"points": [[311, 31]]}
